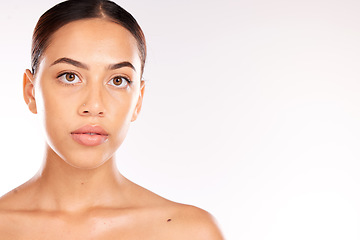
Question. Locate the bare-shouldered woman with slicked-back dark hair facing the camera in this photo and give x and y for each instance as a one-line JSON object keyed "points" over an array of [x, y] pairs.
{"points": [[86, 84]]}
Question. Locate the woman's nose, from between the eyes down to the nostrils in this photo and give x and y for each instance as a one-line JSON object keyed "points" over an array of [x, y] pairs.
{"points": [[93, 105]]}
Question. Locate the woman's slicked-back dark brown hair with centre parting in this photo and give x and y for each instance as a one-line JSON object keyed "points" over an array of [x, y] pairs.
{"points": [[72, 10]]}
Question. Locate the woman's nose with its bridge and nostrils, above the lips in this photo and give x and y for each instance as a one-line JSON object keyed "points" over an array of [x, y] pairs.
{"points": [[94, 100]]}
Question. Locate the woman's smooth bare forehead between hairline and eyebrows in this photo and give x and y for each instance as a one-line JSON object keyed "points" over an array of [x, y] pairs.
{"points": [[94, 41]]}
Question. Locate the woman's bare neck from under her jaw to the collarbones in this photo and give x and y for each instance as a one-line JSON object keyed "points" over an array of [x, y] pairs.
{"points": [[63, 187]]}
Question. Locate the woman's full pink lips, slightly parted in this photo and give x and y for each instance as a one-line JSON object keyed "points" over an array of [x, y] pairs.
{"points": [[90, 135]]}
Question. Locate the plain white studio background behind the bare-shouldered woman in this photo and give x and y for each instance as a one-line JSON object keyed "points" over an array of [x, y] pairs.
{"points": [[251, 111]]}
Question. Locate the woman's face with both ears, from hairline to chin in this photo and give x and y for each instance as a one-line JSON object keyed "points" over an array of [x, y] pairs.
{"points": [[87, 90]]}
